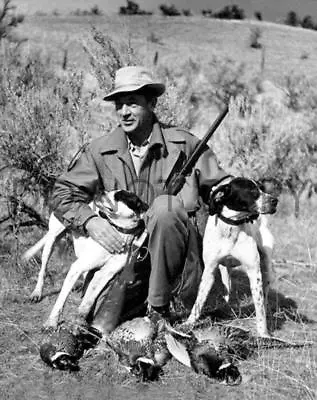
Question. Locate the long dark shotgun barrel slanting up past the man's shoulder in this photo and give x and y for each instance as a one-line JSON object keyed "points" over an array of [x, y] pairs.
{"points": [[176, 181]]}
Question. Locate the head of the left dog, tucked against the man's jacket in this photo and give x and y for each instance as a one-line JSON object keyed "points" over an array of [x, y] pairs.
{"points": [[121, 204]]}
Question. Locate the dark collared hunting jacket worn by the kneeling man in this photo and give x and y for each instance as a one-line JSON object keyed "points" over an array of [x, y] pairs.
{"points": [[106, 164]]}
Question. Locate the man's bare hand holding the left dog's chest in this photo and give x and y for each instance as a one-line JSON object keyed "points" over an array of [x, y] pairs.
{"points": [[105, 234]]}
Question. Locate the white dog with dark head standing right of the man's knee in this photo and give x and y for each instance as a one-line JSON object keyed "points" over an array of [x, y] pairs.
{"points": [[237, 234]]}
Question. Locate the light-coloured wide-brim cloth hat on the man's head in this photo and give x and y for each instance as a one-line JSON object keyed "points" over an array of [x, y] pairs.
{"points": [[133, 78]]}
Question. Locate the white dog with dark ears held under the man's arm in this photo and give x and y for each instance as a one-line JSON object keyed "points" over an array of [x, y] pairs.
{"points": [[124, 210]]}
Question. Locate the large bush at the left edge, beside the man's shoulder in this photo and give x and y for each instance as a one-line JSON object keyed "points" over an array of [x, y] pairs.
{"points": [[44, 118]]}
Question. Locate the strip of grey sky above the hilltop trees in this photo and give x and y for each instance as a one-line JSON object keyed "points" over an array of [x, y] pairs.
{"points": [[270, 9]]}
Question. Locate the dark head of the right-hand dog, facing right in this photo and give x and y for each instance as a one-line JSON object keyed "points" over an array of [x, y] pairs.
{"points": [[242, 195]]}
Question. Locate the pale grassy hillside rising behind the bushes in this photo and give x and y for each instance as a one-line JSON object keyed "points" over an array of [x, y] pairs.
{"points": [[287, 50]]}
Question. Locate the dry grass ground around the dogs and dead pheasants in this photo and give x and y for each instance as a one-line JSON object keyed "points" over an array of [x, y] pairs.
{"points": [[269, 374]]}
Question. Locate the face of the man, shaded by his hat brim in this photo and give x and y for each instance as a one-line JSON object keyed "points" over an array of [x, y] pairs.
{"points": [[134, 112]]}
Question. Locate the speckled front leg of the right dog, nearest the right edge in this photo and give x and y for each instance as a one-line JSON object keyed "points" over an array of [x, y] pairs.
{"points": [[247, 253]]}
